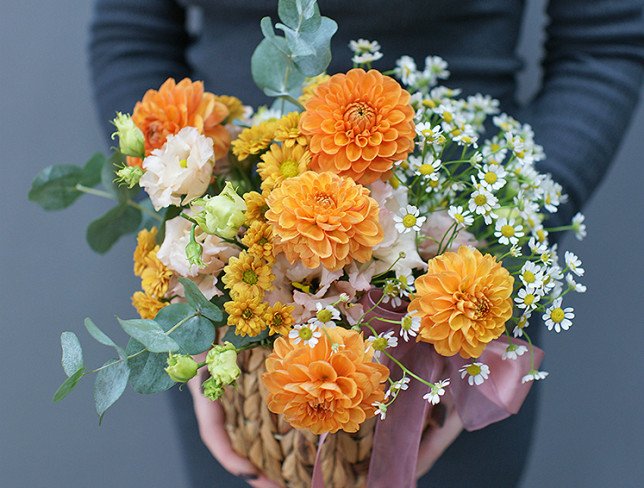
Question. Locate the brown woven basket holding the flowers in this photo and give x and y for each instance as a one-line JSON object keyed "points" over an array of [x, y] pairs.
{"points": [[284, 454]]}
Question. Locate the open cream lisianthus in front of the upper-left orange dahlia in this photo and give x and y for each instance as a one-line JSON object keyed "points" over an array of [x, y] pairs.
{"points": [[181, 168]]}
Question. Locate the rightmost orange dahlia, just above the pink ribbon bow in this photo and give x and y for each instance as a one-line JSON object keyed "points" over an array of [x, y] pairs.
{"points": [[464, 301]]}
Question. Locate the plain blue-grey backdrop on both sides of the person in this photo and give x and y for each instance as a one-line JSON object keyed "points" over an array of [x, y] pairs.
{"points": [[590, 427]]}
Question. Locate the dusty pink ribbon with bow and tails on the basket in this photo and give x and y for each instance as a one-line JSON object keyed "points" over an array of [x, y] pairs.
{"points": [[397, 438]]}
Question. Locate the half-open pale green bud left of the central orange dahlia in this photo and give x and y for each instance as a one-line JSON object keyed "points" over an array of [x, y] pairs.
{"points": [[222, 215]]}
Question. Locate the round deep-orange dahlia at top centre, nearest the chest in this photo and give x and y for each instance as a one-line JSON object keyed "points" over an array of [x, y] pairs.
{"points": [[359, 124]]}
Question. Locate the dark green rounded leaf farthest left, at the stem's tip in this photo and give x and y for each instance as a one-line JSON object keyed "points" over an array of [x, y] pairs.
{"points": [[54, 188]]}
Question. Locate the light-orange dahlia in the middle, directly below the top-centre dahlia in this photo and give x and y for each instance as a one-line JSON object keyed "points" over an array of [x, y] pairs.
{"points": [[323, 218]]}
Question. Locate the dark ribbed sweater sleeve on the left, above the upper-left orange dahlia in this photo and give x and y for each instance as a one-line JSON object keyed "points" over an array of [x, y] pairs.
{"points": [[134, 45]]}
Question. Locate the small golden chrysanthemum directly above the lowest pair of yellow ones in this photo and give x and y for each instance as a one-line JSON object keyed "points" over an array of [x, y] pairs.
{"points": [[247, 273]]}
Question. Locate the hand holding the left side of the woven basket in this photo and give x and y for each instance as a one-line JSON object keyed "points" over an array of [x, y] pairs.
{"points": [[210, 418]]}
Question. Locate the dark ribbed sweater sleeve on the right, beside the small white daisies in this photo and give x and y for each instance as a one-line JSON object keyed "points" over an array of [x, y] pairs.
{"points": [[593, 69]]}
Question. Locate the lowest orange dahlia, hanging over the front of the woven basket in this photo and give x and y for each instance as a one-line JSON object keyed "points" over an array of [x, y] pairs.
{"points": [[324, 388]]}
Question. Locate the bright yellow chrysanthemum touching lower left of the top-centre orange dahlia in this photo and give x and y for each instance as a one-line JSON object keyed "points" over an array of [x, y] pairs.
{"points": [[280, 163]]}
